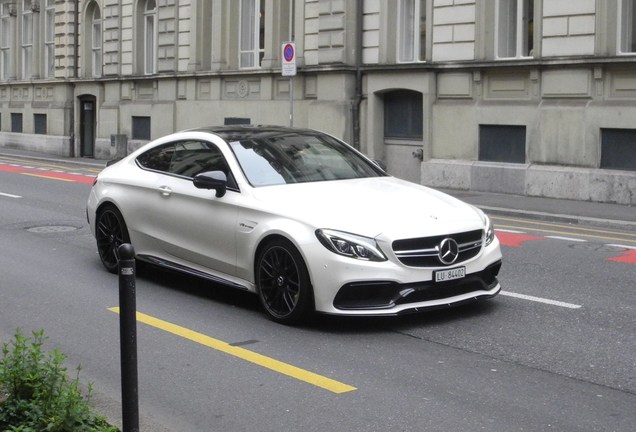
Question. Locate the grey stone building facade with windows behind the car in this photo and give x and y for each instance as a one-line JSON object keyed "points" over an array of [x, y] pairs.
{"points": [[534, 97]]}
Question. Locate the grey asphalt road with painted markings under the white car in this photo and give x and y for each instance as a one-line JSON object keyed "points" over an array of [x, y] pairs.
{"points": [[556, 351]]}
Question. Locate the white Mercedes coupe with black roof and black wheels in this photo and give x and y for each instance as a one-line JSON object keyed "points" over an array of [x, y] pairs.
{"points": [[296, 216]]}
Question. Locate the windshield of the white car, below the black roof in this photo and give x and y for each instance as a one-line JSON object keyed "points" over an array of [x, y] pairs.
{"points": [[295, 158]]}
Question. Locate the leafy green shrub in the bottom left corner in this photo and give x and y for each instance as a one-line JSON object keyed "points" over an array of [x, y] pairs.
{"points": [[36, 394]]}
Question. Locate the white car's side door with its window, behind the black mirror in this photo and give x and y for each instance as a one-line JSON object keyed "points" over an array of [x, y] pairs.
{"points": [[192, 226]]}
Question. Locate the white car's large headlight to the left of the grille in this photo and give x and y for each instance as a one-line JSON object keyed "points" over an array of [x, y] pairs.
{"points": [[350, 245]]}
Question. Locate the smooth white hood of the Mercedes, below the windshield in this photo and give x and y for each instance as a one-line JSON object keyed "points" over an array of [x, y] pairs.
{"points": [[373, 207]]}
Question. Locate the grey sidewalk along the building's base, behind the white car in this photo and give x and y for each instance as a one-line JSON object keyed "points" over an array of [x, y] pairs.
{"points": [[566, 211]]}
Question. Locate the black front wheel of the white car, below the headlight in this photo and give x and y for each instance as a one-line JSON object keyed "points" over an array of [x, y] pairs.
{"points": [[283, 284]]}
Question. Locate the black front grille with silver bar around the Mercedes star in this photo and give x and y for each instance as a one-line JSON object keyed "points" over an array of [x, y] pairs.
{"points": [[424, 251]]}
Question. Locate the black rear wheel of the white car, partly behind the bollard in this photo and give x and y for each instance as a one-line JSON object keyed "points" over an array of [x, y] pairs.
{"points": [[110, 232]]}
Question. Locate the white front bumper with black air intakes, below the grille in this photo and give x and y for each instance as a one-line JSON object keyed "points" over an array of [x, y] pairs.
{"points": [[345, 286]]}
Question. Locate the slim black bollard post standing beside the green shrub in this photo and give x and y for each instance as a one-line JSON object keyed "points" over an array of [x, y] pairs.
{"points": [[128, 338]]}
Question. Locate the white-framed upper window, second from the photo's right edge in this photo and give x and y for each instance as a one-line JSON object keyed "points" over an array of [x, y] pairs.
{"points": [[514, 28]]}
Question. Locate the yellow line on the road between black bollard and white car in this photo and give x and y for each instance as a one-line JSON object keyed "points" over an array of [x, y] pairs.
{"points": [[247, 355]]}
